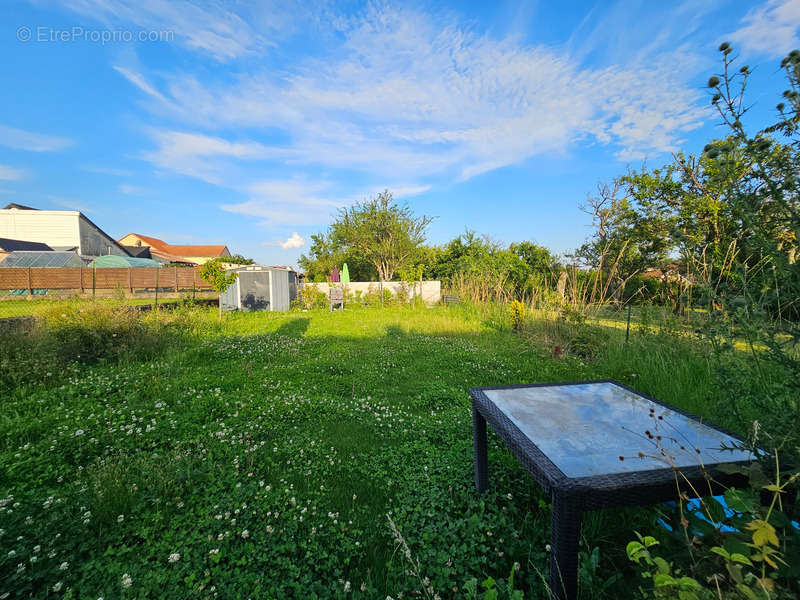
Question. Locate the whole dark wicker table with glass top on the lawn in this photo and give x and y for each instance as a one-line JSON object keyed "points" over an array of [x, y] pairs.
{"points": [[598, 444]]}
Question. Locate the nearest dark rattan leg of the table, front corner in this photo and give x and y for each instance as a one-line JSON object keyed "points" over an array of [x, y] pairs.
{"points": [[564, 536]]}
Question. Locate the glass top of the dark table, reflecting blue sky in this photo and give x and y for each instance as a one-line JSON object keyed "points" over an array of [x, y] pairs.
{"points": [[585, 428]]}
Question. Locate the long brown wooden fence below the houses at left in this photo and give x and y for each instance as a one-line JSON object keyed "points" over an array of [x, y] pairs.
{"points": [[87, 279]]}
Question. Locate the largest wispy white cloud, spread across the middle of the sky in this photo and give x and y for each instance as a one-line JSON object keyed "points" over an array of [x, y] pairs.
{"points": [[409, 96]]}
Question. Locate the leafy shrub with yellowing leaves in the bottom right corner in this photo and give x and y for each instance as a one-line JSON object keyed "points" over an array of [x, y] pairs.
{"points": [[749, 552]]}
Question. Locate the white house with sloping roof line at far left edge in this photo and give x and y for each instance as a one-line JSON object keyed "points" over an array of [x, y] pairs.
{"points": [[64, 230]]}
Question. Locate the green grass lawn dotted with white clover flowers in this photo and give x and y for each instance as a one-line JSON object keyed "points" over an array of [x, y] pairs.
{"points": [[260, 459]]}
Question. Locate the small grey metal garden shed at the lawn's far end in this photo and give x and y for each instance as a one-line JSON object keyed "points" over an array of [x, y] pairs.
{"points": [[260, 288]]}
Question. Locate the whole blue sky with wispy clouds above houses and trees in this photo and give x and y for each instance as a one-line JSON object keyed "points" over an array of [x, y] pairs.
{"points": [[251, 123]]}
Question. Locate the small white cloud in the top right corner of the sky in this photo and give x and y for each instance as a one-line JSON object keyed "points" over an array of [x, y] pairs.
{"points": [[770, 29]]}
